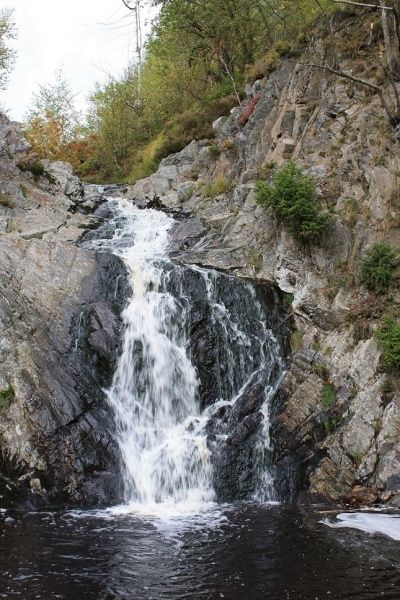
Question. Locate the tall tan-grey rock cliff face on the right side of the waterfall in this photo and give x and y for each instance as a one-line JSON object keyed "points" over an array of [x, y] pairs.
{"points": [[344, 444]]}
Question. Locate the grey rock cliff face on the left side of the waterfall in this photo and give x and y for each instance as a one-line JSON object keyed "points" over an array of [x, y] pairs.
{"points": [[59, 328]]}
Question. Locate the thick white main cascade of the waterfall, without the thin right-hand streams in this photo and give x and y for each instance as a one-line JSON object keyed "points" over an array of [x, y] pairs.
{"points": [[154, 389]]}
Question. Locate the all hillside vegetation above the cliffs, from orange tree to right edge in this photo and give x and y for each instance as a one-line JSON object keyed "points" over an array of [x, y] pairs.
{"points": [[198, 59]]}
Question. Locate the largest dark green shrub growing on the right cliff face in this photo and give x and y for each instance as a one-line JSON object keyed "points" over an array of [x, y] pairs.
{"points": [[292, 197]]}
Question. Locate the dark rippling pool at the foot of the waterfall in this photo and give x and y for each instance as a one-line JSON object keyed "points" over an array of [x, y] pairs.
{"points": [[246, 552]]}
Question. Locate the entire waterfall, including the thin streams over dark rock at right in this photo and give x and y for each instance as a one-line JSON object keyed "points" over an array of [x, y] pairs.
{"points": [[156, 391]]}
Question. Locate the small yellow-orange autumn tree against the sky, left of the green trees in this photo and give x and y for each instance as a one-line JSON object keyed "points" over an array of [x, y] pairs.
{"points": [[52, 120]]}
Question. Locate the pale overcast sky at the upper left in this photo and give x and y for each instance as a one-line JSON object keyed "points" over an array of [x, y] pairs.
{"points": [[88, 39]]}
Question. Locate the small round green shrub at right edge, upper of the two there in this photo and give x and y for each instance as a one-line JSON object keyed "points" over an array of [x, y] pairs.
{"points": [[378, 267]]}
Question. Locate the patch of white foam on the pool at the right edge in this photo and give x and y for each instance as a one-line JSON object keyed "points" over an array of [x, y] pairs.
{"points": [[368, 522]]}
